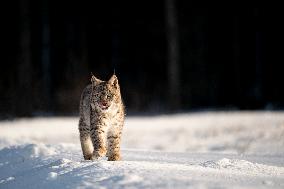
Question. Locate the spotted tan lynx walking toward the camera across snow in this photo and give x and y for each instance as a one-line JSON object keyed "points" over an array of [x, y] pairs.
{"points": [[101, 119]]}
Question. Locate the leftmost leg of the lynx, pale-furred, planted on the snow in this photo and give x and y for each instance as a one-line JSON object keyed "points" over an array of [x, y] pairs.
{"points": [[86, 142]]}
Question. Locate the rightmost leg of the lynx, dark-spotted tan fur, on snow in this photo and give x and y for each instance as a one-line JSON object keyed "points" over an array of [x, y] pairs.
{"points": [[113, 152]]}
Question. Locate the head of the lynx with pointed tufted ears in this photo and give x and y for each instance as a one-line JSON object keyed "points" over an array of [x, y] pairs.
{"points": [[105, 94]]}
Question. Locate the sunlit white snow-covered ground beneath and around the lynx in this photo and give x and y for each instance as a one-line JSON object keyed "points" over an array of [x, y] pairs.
{"points": [[191, 150]]}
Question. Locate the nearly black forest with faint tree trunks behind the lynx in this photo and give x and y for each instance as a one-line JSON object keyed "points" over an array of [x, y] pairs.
{"points": [[167, 55]]}
